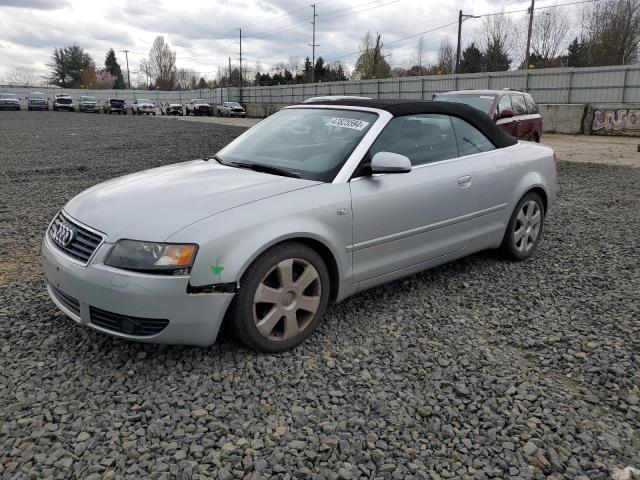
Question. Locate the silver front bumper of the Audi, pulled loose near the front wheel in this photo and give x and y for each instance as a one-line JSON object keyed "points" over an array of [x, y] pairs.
{"points": [[81, 291]]}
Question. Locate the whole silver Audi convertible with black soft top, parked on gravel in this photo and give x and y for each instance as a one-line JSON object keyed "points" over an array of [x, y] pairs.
{"points": [[313, 204]]}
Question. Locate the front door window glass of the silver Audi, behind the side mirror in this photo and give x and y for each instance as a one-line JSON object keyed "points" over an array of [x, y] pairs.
{"points": [[423, 138]]}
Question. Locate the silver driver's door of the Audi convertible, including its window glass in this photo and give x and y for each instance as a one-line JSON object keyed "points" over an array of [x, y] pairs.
{"points": [[404, 220]]}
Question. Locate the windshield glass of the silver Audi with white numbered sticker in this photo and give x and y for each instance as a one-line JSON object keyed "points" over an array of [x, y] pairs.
{"points": [[309, 143]]}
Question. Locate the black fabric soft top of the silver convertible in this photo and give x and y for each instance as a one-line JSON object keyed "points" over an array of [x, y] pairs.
{"points": [[399, 108]]}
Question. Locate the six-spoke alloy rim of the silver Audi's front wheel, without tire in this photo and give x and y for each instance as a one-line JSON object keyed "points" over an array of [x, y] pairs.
{"points": [[287, 299]]}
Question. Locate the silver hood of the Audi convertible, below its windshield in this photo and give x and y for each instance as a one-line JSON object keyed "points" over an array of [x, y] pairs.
{"points": [[154, 204]]}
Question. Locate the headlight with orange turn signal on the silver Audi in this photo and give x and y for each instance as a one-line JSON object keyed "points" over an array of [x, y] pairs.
{"points": [[151, 257]]}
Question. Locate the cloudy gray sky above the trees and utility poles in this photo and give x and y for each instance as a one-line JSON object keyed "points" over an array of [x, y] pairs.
{"points": [[202, 32]]}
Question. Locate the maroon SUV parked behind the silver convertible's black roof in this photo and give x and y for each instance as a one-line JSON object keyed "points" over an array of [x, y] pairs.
{"points": [[514, 110]]}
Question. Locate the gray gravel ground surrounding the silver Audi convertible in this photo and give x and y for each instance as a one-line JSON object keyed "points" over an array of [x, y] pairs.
{"points": [[478, 369]]}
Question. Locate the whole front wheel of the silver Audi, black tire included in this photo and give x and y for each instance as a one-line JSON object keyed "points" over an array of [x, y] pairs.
{"points": [[247, 317]]}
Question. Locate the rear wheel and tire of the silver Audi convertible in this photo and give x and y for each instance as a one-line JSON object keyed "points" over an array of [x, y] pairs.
{"points": [[523, 232]]}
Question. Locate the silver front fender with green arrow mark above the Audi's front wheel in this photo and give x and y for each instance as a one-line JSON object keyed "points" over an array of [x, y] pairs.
{"points": [[231, 240]]}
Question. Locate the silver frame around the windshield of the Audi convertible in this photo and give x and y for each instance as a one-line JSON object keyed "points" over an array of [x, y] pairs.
{"points": [[352, 159]]}
